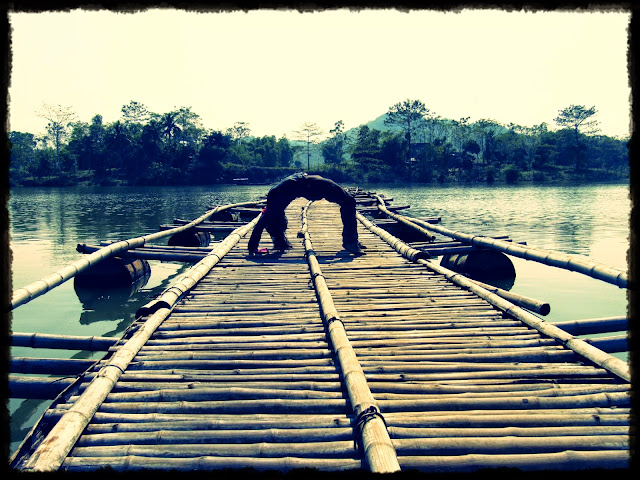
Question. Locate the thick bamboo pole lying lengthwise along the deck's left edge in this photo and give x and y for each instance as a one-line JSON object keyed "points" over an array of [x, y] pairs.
{"points": [[52, 451]]}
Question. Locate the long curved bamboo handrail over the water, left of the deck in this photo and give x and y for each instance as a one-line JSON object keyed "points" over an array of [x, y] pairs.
{"points": [[33, 290]]}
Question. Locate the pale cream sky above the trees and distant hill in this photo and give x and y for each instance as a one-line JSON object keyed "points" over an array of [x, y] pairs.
{"points": [[277, 70]]}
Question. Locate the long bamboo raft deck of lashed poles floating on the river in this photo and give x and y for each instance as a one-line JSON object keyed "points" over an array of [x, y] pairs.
{"points": [[319, 359]]}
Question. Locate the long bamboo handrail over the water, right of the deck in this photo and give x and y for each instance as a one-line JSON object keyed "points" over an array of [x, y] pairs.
{"points": [[555, 259]]}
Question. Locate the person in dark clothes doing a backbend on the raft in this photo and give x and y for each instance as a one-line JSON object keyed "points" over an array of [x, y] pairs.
{"points": [[311, 187]]}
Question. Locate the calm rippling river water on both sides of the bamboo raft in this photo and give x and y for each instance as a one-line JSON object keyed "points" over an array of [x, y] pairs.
{"points": [[48, 223]]}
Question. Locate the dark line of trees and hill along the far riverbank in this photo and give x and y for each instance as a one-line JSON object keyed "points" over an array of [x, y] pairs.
{"points": [[412, 144]]}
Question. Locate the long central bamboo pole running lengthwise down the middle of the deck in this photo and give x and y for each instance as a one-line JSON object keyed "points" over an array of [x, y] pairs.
{"points": [[372, 432]]}
